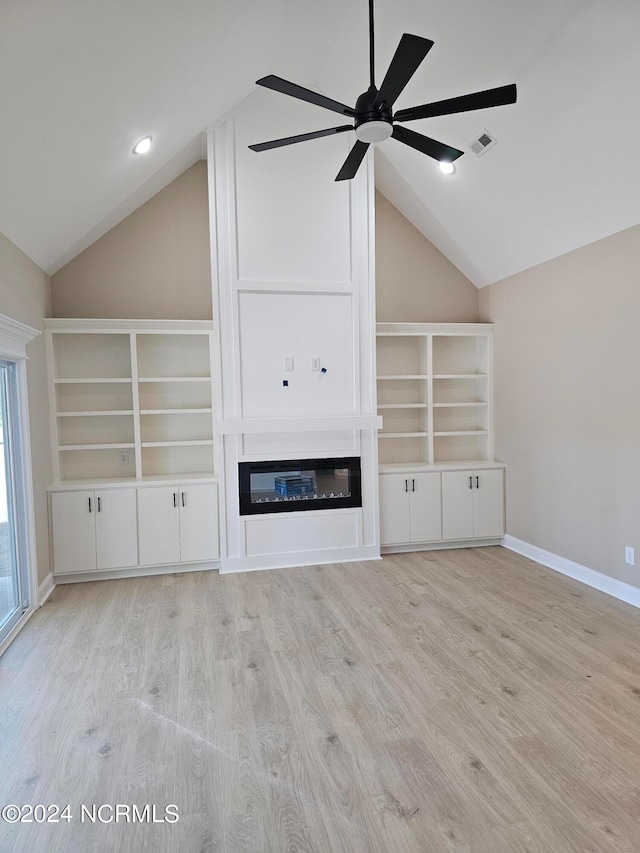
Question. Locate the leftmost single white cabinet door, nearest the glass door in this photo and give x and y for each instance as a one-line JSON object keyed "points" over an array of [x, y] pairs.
{"points": [[74, 532]]}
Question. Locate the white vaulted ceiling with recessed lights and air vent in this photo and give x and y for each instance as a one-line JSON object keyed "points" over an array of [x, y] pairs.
{"points": [[82, 80]]}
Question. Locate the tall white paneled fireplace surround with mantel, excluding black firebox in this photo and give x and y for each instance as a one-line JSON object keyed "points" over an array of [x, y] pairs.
{"points": [[293, 284]]}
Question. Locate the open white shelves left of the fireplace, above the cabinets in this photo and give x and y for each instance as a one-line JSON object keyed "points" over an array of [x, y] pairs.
{"points": [[131, 399]]}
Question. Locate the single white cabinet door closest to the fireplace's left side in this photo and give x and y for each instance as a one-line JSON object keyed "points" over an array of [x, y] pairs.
{"points": [[199, 523]]}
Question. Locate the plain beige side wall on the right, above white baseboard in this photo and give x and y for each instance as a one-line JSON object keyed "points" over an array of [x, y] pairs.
{"points": [[567, 355]]}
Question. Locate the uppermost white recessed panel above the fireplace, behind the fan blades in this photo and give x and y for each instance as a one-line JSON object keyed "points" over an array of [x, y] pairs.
{"points": [[292, 218]]}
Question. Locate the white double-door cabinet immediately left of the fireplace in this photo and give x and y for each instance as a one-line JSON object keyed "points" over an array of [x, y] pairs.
{"points": [[178, 524]]}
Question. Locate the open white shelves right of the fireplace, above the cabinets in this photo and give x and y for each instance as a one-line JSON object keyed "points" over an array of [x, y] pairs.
{"points": [[434, 393]]}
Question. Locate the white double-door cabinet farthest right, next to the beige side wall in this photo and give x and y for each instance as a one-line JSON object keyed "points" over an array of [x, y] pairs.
{"points": [[472, 504]]}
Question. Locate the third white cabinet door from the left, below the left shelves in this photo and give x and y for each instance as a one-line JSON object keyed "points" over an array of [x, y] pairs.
{"points": [[159, 525]]}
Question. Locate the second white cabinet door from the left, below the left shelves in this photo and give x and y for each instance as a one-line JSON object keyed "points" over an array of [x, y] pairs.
{"points": [[116, 529]]}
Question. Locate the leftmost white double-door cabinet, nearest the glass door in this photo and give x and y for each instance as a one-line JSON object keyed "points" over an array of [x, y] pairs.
{"points": [[94, 530]]}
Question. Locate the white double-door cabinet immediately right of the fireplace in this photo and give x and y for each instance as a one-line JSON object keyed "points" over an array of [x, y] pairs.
{"points": [[410, 508]]}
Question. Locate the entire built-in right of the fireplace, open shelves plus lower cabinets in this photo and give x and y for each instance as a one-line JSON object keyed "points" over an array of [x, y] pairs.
{"points": [[439, 483]]}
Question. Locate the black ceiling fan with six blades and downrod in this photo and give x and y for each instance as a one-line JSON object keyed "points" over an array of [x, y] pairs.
{"points": [[374, 119]]}
